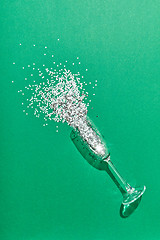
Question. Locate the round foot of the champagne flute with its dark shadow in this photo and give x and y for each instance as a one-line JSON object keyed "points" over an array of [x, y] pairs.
{"points": [[131, 201]]}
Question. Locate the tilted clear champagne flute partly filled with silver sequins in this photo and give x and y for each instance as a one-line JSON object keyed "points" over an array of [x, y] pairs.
{"points": [[92, 147]]}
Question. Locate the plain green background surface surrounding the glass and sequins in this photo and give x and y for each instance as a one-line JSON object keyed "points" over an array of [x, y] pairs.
{"points": [[47, 190]]}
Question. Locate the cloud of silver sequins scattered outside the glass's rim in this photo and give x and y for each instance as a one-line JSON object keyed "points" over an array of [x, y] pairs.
{"points": [[57, 94]]}
